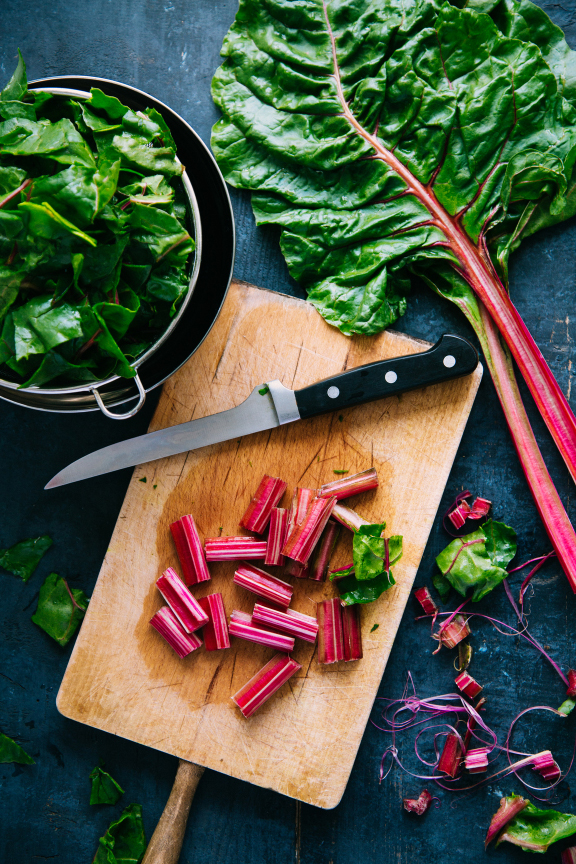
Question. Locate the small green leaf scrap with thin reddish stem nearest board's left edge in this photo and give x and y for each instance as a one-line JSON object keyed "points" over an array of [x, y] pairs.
{"points": [[60, 609]]}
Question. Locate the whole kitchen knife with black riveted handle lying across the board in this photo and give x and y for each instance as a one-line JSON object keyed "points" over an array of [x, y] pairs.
{"points": [[272, 404]]}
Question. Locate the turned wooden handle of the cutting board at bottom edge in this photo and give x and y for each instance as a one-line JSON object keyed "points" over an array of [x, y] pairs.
{"points": [[166, 842]]}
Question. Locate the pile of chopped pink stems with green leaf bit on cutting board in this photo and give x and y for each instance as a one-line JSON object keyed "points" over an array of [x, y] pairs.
{"points": [[303, 538]]}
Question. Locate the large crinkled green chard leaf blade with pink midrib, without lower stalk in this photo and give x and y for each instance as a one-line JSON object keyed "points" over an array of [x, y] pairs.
{"points": [[473, 107]]}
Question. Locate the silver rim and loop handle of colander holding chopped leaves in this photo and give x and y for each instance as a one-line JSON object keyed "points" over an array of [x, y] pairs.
{"points": [[92, 386]]}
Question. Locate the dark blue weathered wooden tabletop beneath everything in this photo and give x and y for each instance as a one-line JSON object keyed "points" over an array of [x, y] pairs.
{"points": [[170, 49]]}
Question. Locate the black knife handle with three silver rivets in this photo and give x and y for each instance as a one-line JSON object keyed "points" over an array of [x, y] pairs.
{"points": [[451, 357]]}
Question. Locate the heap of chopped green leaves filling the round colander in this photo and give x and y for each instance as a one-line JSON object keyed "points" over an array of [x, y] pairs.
{"points": [[94, 246]]}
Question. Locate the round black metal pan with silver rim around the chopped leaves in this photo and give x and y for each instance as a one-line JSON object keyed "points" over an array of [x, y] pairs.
{"points": [[213, 225]]}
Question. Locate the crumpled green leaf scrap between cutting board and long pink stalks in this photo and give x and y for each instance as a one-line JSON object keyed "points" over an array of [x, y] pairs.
{"points": [[478, 560]]}
